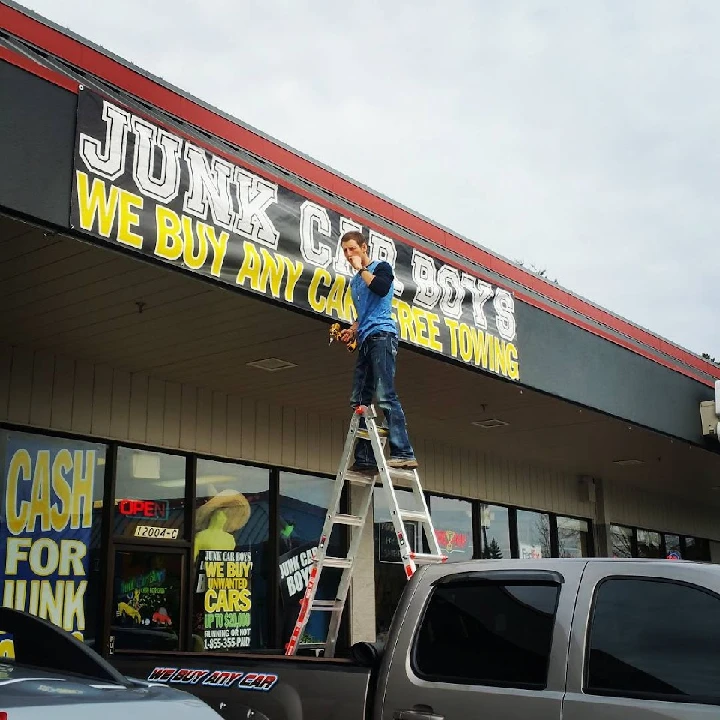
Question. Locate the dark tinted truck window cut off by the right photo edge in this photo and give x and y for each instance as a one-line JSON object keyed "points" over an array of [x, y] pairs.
{"points": [[654, 638]]}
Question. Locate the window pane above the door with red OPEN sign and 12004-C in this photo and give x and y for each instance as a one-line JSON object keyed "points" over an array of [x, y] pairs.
{"points": [[150, 495]]}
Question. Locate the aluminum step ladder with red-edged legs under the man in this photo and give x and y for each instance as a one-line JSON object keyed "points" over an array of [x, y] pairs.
{"points": [[410, 559]]}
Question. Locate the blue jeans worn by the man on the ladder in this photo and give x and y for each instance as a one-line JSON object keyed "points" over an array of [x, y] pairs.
{"points": [[375, 376]]}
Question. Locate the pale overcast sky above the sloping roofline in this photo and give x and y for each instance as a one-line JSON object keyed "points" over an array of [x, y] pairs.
{"points": [[579, 137]]}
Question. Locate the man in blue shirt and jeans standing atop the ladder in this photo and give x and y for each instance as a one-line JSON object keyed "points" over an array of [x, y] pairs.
{"points": [[375, 330]]}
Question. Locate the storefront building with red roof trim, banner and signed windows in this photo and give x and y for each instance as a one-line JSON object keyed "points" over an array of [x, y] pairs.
{"points": [[172, 417]]}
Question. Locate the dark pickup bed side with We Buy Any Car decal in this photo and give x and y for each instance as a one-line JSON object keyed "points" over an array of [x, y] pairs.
{"points": [[259, 687]]}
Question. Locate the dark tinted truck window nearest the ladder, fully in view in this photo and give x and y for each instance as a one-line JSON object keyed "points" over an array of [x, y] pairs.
{"points": [[488, 633]]}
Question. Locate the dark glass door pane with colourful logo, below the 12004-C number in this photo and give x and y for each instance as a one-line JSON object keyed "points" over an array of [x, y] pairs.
{"points": [[147, 596]]}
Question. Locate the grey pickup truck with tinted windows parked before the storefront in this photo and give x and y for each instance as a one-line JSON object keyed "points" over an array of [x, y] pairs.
{"points": [[570, 639]]}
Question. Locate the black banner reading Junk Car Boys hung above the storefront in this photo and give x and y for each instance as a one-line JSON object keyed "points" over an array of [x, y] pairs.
{"points": [[147, 189]]}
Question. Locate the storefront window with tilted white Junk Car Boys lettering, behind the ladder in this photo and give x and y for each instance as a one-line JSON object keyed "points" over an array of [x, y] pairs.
{"points": [[304, 500]]}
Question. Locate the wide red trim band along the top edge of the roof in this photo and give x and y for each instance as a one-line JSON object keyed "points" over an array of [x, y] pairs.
{"points": [[135, 83]]}
